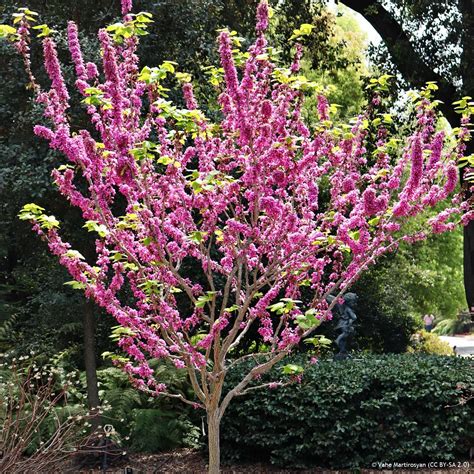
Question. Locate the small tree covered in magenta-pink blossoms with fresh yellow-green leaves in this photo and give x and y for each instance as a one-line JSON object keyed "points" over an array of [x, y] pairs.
{"points": [[261, 204]]}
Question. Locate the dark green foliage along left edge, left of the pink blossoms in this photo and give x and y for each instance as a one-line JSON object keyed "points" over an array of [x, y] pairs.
{"points": [[46, 316]]}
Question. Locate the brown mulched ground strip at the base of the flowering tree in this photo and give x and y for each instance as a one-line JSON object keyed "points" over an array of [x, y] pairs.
{"points": [[187, 461]]}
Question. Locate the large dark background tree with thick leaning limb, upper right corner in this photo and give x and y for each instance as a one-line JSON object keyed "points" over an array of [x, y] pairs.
{"points": [[431, 41]]}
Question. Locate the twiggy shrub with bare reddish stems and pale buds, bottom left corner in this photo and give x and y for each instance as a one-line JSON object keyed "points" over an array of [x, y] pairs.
{"points": [[41, 426]]}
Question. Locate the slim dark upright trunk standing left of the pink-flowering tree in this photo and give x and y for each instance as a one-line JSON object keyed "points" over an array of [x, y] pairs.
{"points": [[90, 362]]}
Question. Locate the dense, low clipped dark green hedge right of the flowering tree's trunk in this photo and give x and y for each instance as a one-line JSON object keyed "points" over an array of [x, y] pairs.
{"points": [[350, 414]]}
